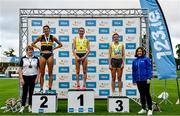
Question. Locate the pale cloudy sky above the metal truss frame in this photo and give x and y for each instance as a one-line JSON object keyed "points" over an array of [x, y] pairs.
{"points": [[9, 16]]}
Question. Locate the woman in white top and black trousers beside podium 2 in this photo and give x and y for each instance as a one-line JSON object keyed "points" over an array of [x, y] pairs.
{"points": [[28, 73]]}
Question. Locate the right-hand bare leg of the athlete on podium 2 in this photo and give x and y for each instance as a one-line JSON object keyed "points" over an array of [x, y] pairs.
{"points": [[50, 62]]}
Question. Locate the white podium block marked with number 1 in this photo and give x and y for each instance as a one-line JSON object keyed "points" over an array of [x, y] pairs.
{"points": [[81, 101]]}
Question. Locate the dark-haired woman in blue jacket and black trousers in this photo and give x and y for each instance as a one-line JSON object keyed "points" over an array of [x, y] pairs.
{"points": [[141, 75]]}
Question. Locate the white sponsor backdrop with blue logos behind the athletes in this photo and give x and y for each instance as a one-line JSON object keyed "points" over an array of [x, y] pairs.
{"points": [[99, 32]]}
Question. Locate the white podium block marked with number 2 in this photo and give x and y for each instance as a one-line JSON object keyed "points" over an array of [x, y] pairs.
{"points": [[44, 103]]}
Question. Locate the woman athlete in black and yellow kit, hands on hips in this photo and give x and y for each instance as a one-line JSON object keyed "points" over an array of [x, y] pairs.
{"points": [[46, 54]]}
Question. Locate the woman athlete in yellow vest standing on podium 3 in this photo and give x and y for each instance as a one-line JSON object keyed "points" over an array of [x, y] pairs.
{"points": [[116, 63]]}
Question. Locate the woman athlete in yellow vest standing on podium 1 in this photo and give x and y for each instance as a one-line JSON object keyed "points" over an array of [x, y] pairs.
{"points": [[81, 49]]}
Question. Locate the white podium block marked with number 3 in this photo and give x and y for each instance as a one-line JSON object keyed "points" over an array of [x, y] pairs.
{"points": [[118, 104]]}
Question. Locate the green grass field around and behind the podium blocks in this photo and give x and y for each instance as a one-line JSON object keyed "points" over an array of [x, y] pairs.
{"points": [[9, 89]]}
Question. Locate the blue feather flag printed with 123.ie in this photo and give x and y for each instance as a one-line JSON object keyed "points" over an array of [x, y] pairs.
{"points": [[160, 40]]}
